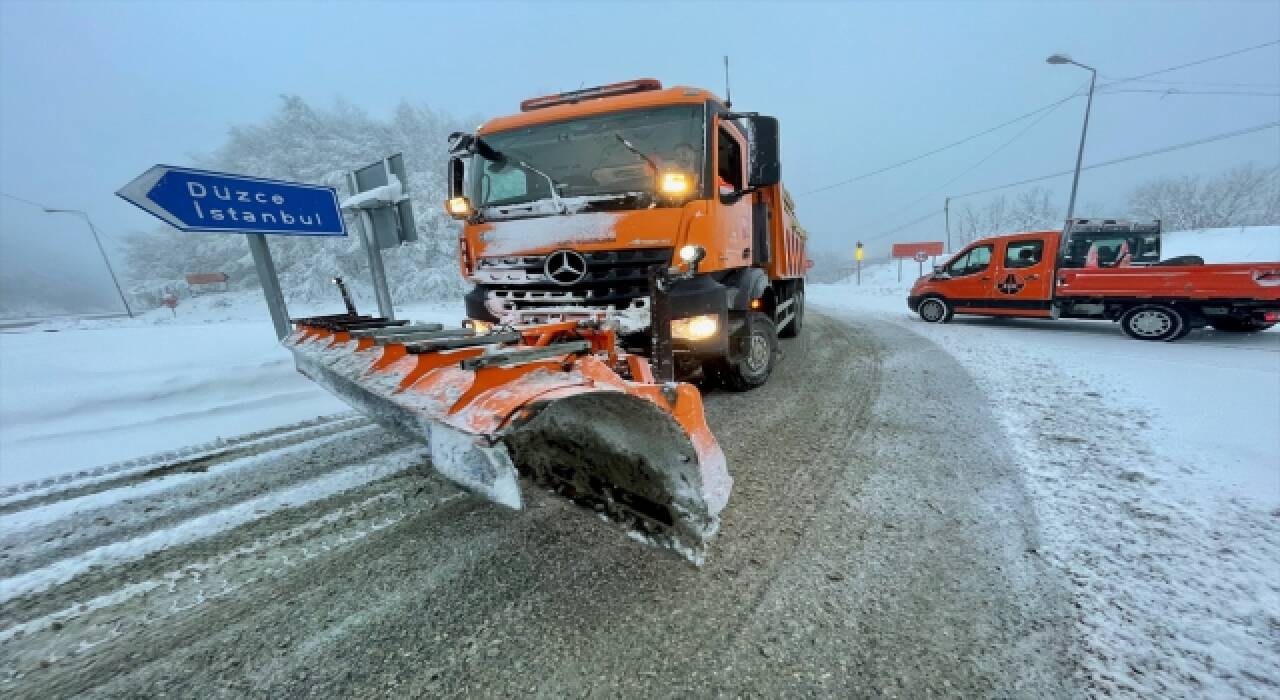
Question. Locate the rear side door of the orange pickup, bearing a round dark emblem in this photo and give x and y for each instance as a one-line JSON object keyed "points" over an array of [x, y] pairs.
{"points": [[1022, 278]]}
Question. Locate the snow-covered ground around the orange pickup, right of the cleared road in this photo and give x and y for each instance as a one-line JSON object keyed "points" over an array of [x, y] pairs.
{"points": [[1155, 469]]}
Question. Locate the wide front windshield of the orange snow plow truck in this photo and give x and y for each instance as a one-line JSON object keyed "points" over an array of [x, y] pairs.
{"points": [[588, 158]]}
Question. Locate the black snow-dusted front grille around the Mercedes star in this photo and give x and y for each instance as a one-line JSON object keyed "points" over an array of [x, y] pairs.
{"points": [[614, 280]]}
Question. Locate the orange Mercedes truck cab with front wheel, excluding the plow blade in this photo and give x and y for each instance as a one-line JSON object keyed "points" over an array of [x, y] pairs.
{"points": [[570, 205]]}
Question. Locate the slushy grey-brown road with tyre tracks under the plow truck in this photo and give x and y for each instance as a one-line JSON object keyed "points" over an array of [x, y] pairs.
{"points": [[857, 557]]}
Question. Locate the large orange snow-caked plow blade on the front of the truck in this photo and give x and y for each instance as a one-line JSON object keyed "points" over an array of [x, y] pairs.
{"points": [[556, 405]]}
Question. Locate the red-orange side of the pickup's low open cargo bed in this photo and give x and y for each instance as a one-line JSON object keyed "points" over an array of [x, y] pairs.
{"points": [[1238, 281]]}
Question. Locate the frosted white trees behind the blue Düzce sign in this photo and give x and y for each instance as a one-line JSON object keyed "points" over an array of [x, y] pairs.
{"points": [[304, 144]]}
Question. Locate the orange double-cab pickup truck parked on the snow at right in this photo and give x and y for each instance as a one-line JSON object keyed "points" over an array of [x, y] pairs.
{"points": [[1109, 271]]}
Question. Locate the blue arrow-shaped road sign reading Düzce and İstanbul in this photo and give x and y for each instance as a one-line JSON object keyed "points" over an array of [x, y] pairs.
{"points": [[221, 203]]}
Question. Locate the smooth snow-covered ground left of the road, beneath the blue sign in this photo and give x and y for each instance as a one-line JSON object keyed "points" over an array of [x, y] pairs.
{"points": [[84, 394]]}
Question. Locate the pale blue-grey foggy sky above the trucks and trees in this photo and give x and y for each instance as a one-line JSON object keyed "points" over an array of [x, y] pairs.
{"points": [[93, 94]]}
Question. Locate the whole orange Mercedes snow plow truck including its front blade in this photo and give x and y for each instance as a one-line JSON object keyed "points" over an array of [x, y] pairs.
{"points": [[620, 240]]}
